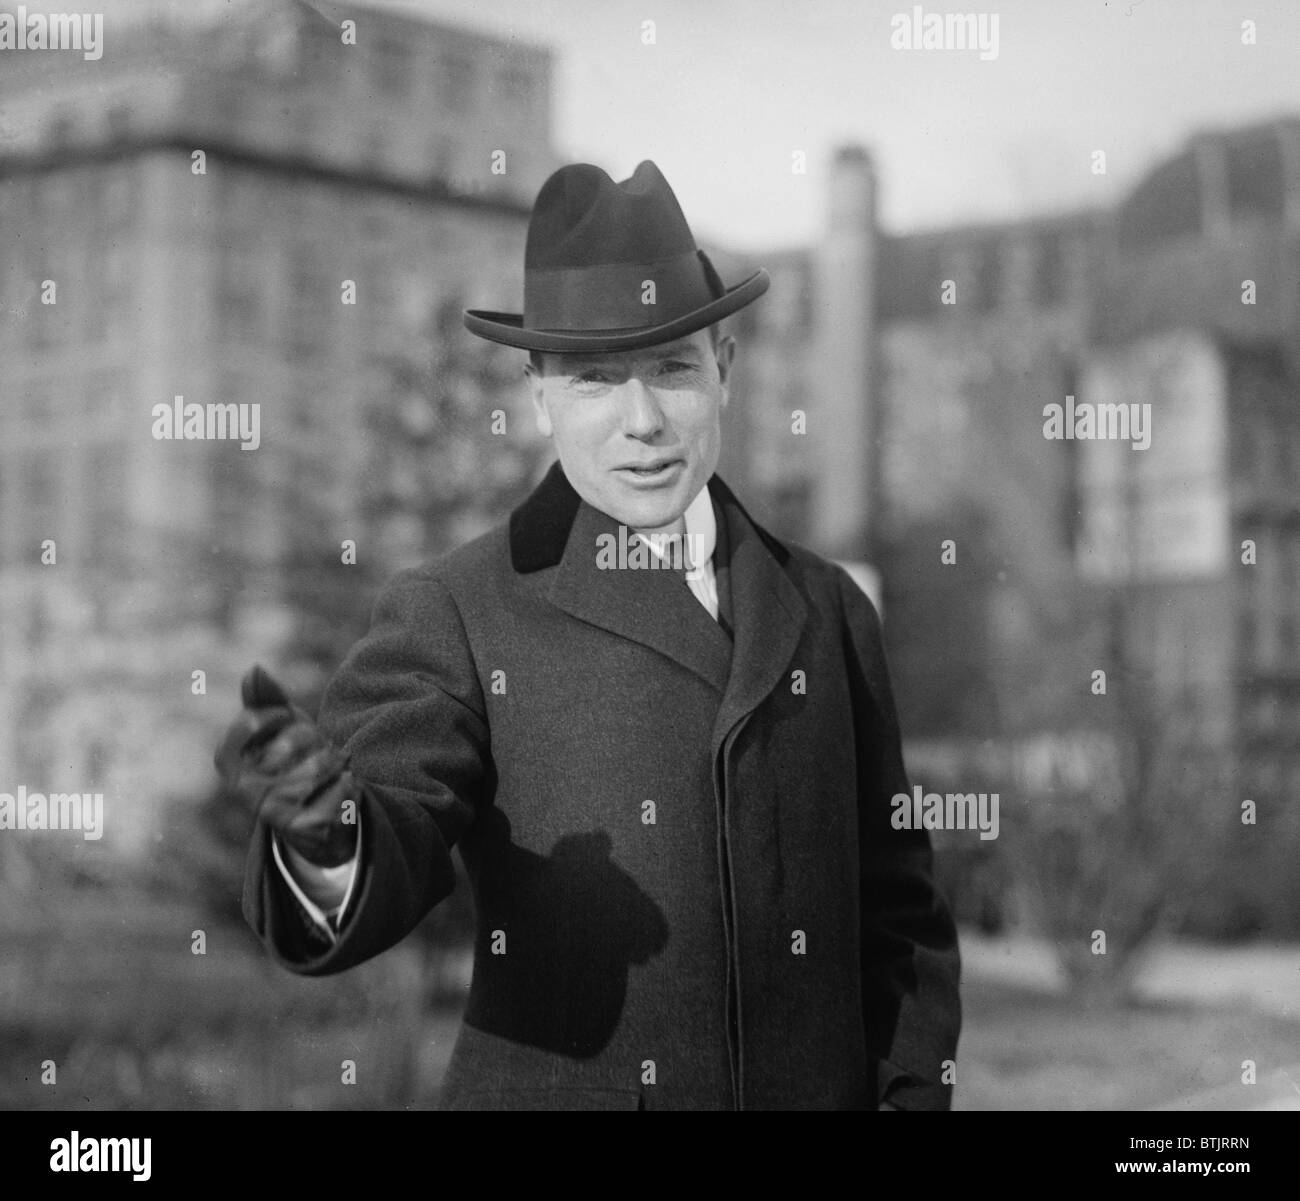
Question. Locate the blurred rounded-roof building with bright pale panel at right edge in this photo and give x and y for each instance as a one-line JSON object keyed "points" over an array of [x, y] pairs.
{"points": [[1198, 314]]}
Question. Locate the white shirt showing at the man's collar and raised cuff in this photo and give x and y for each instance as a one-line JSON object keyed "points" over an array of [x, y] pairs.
{"points": [[326, 892]]}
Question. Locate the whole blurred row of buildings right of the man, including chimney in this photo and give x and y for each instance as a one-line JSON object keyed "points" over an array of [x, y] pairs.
{"points": [[926, 384]]}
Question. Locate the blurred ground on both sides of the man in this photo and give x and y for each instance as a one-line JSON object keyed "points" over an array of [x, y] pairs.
{"points": [[132, 1018]]}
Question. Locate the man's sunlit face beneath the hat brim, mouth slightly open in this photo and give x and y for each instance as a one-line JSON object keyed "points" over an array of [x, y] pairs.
{"points": [[638, 432]]}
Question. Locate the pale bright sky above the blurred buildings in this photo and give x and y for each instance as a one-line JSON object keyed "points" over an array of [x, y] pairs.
{"points": [[730, 90]]}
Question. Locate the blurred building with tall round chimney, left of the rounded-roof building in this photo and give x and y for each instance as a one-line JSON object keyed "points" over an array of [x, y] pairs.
{"points": [[922, 365]]}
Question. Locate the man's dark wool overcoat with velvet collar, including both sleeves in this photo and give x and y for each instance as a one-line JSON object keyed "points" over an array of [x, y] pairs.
{"points": [[678, 831]]}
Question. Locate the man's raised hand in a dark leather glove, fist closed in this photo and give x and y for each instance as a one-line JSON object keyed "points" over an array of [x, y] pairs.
{"points": [[291, 777]]}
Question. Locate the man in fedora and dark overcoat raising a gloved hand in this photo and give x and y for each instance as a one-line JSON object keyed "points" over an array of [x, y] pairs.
{"points": [[664, 742]]}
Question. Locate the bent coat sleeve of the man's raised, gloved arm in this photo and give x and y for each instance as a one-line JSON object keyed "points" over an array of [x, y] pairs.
{"points": [[408, 706]]}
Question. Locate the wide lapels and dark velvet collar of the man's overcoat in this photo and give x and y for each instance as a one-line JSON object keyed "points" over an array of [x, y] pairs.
{"points": [[556, 528]]}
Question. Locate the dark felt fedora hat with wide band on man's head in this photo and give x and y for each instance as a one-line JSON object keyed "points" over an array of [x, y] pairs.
{"points": [[612, 267]]}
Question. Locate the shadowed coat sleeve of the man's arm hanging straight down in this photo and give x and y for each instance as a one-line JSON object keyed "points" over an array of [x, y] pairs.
{"points": [[911, 962]]}
